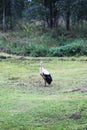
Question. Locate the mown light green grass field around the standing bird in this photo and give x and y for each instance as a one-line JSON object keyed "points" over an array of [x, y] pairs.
{"points": [[25, 104]]}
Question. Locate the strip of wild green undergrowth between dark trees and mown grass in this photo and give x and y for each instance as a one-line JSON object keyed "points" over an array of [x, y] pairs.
{"points": [[45, 43]]}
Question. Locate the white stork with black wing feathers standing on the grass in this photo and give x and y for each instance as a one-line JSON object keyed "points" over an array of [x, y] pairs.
{"points": [[45, 74]]}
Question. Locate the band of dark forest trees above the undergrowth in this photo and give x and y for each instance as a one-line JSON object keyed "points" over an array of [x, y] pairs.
{"points": [[50, 11]]}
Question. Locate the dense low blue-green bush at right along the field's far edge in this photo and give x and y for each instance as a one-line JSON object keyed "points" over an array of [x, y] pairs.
{"points": [[77, 48]]}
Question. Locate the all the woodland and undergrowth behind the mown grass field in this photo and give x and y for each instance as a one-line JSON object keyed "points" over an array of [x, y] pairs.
{"points": [[40, 27]]}
